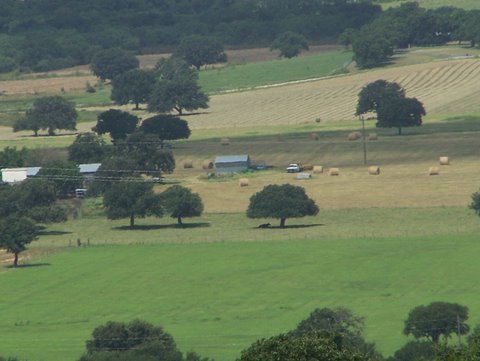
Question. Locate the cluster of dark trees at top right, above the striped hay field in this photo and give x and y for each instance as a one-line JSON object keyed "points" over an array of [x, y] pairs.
{"points": [[408, 25]]}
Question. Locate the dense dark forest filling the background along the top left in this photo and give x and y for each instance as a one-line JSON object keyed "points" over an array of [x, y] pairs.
{"points": [[47, 34]]}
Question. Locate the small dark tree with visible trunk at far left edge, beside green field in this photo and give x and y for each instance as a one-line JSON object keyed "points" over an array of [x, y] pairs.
{"points": [[15, 234]]}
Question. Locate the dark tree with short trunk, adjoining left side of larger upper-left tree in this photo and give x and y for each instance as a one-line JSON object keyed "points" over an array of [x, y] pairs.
{"points": [[132, 86]]}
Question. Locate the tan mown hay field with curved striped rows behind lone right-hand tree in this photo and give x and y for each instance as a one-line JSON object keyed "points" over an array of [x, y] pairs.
{"points": [[445, 87]]}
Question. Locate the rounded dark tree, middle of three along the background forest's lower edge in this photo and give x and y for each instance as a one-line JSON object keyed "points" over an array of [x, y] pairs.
{"points": [[199, 50]]}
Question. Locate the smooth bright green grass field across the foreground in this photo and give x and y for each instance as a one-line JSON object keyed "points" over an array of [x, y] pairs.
{"points": [[217, 298]]}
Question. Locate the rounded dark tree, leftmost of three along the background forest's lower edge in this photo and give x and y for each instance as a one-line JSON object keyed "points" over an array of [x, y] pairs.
{"points": [[109, 63]]}
